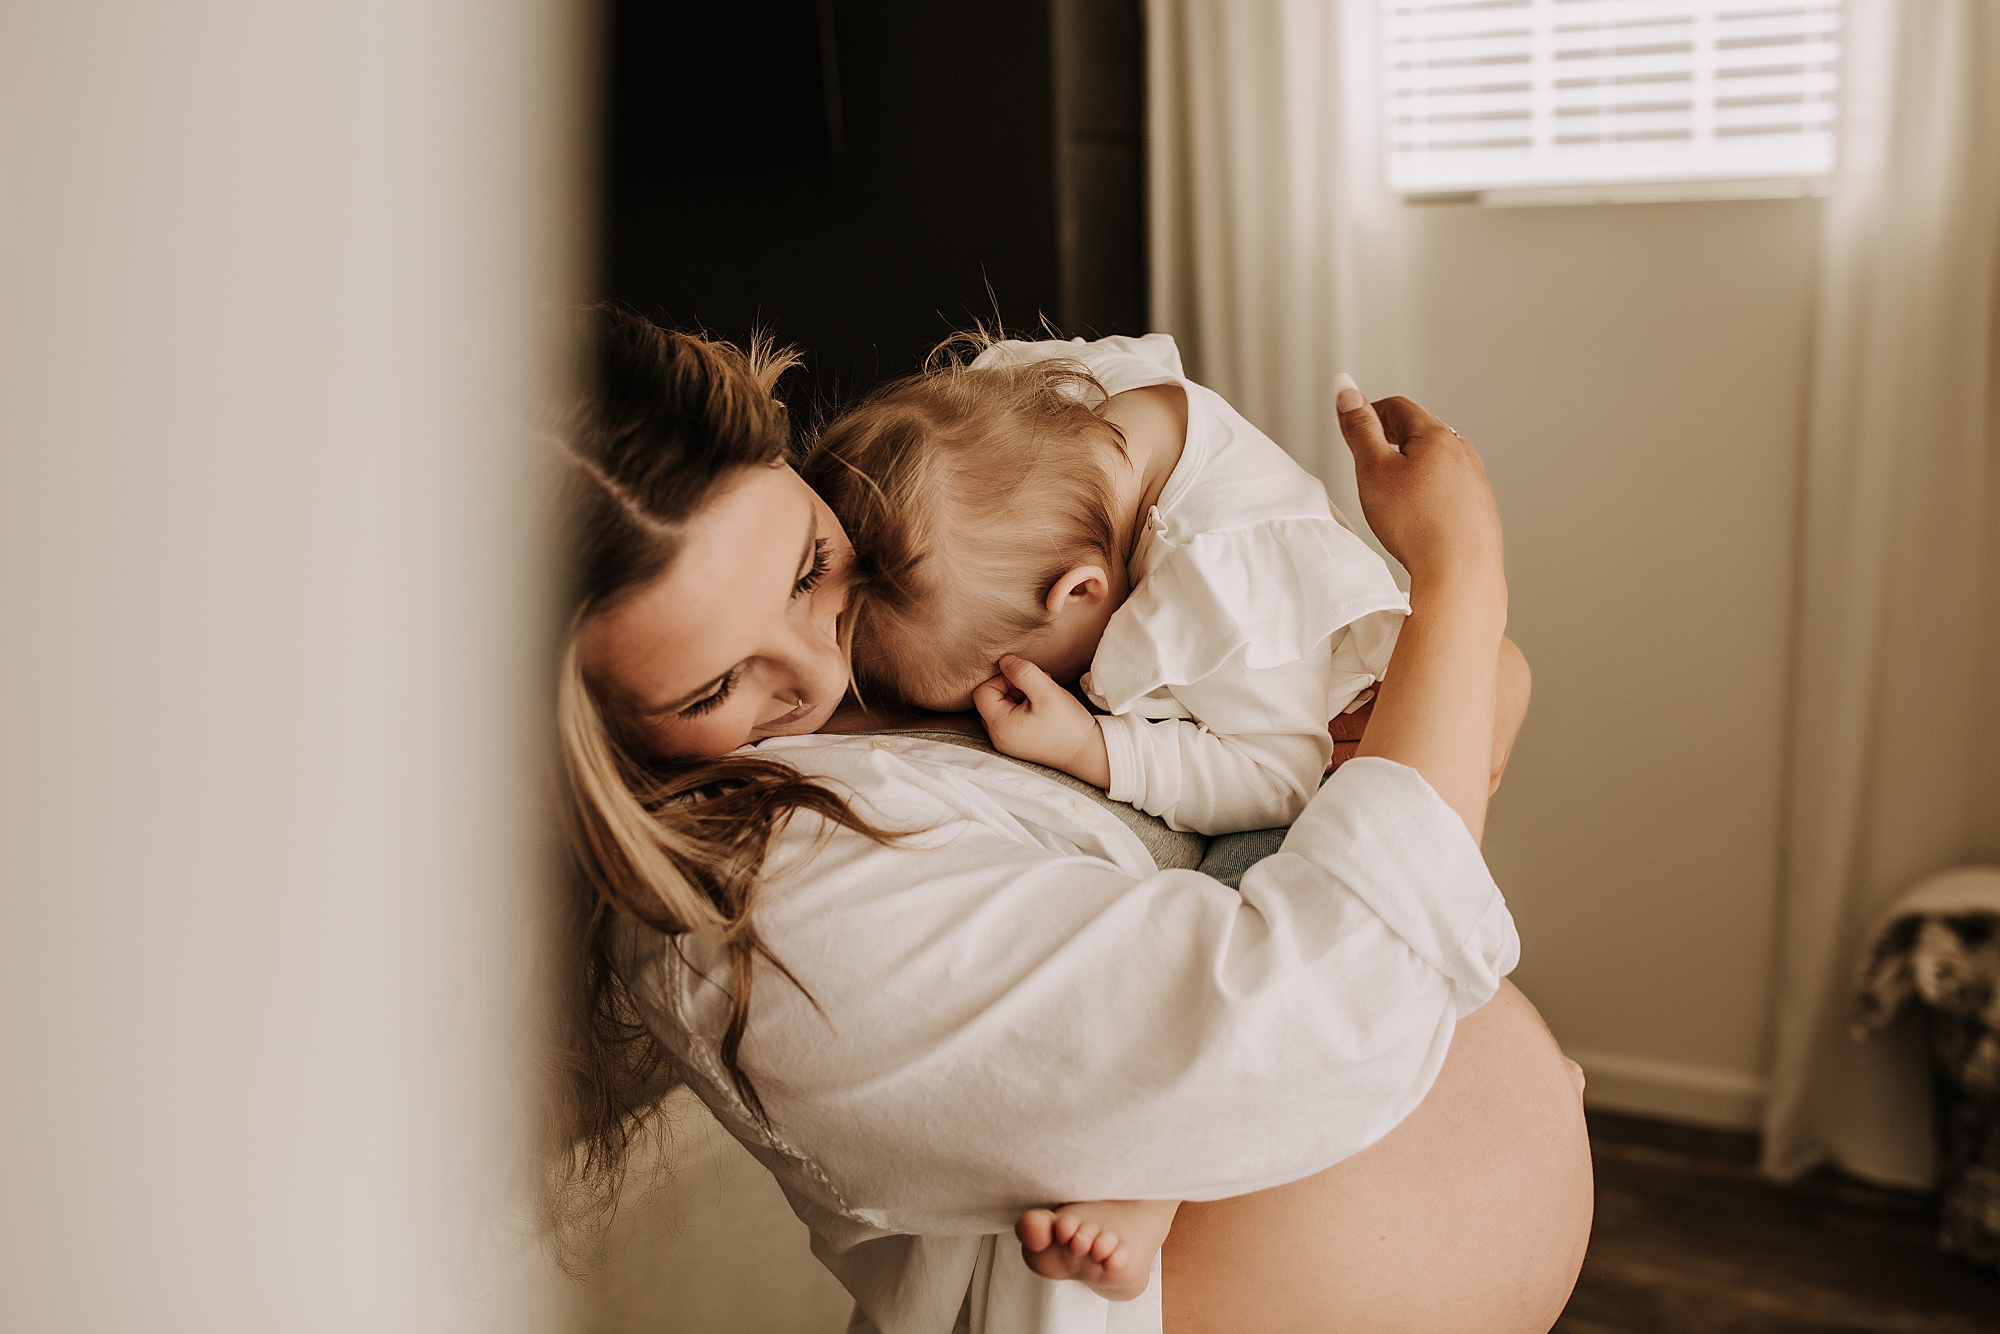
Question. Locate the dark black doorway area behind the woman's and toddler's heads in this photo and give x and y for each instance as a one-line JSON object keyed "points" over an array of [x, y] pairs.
{"points": [[861, 177]]}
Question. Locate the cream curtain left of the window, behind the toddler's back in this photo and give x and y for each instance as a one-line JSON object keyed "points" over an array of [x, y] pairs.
{"points": [[1271, 231]]}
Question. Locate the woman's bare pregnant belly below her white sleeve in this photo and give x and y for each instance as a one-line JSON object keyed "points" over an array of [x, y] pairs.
{"points": [[1471, 1217]]}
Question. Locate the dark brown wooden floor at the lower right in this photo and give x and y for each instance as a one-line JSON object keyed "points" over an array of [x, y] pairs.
{"points": [[1693, 1241]]}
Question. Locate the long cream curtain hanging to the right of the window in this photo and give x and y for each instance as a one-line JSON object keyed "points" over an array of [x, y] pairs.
{"points": [[1895, 657]]}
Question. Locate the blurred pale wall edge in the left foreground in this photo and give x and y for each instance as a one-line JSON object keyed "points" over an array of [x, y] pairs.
{"points": [[273, 621]]}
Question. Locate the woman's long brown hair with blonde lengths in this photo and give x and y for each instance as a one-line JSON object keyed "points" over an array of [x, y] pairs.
{"points": [[665, 423]]}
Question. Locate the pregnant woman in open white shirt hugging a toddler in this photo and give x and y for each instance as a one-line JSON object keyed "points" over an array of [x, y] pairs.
{"points": [[931, 989]]}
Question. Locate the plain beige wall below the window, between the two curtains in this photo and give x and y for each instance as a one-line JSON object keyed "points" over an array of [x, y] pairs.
{"points": [[1635, 379]]}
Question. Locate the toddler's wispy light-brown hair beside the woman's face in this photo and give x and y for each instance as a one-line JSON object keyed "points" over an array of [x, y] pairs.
{"points": [[967, 495]]}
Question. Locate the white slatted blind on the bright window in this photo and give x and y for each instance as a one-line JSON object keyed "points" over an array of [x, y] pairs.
{"points": [[1495, 95]]}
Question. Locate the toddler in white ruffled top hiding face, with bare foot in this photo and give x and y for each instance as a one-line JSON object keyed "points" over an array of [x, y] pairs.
{"points": [[1053, 513]]}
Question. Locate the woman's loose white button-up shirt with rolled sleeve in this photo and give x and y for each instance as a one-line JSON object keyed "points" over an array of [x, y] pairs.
{"points": [[1017, 1007]]}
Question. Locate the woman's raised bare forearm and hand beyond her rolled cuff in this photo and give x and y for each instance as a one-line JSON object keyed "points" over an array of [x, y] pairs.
{"points": [[1427, 499]]}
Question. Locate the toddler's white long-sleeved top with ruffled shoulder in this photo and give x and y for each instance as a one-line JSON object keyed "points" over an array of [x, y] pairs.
{"points": [[1255, 615]]}
